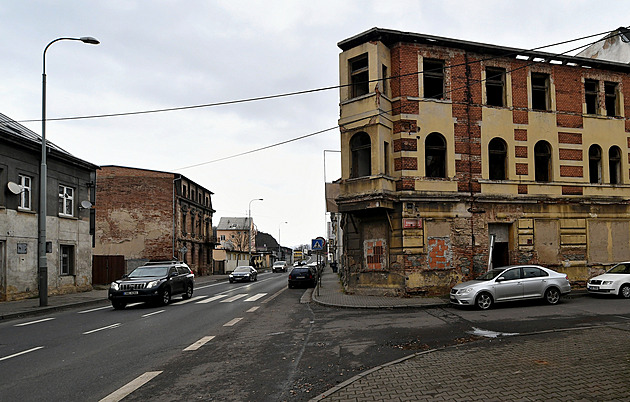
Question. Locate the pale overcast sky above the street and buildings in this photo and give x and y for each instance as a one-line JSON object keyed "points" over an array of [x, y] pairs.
{"points": [[166, 54]]}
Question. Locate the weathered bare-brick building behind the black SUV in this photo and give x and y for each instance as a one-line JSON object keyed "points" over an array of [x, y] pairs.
{"points": [[147, 215]]}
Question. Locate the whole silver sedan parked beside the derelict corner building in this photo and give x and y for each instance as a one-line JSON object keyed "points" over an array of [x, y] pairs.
{"points": [[516, 282]]}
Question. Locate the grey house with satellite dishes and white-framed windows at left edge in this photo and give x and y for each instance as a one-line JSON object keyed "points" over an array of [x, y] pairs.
{"points": [[69, 232]]}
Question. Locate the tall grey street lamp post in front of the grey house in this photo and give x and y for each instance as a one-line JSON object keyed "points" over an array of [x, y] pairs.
{"points": [[42, 267]]}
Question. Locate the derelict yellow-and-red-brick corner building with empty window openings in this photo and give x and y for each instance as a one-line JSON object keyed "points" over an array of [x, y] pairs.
{"points": [[457, 156]]}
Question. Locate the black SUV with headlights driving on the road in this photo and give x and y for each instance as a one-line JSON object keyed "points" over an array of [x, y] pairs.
{"points": [[154, 281]]}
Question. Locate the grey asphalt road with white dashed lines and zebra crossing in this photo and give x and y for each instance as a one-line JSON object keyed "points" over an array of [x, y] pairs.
{"points": [[254, 342]]}
